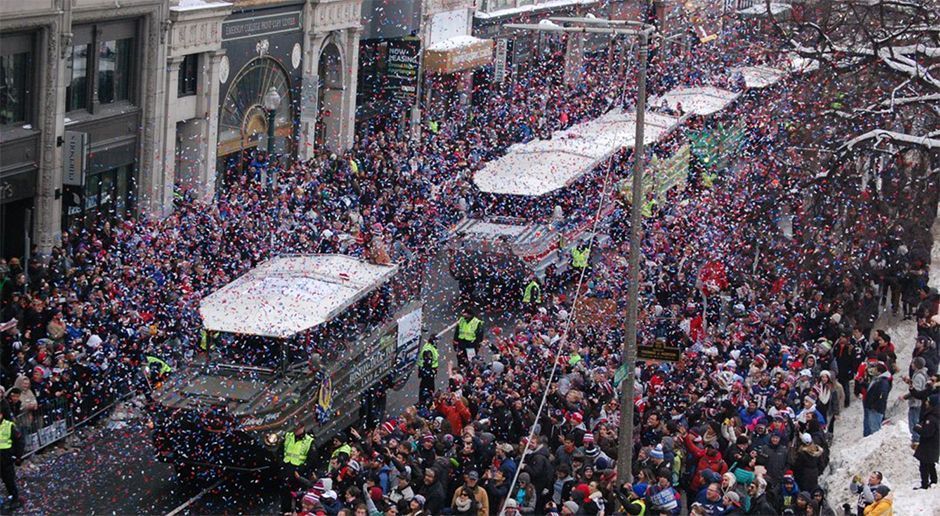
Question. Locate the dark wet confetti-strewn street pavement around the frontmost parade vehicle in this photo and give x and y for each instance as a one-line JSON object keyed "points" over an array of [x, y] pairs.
{"points": [[114, 470]]}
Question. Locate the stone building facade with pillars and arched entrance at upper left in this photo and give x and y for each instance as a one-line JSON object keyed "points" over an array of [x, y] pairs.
{"points": [[107, 106]]}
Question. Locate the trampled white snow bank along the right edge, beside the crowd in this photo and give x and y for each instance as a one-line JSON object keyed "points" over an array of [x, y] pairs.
{"points": [[888, 450]]}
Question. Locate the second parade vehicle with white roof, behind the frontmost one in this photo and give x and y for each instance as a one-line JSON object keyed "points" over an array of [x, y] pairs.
{"points": [[540, 199]]}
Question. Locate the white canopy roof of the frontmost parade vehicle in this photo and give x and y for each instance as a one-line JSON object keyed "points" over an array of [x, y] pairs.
{"points": [[290, 294]]}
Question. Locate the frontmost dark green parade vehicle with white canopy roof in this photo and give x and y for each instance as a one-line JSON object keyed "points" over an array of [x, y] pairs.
{"points": [[297, 340]]}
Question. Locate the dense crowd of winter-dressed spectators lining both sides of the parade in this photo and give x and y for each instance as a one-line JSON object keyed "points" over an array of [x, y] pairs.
{"points": [[775, 341]]}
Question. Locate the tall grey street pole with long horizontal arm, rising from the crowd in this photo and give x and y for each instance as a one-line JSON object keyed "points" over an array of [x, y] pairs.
{"points": [[643, 31]]}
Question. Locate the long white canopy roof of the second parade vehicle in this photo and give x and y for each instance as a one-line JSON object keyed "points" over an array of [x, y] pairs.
{"points": [[540, 167]]}
